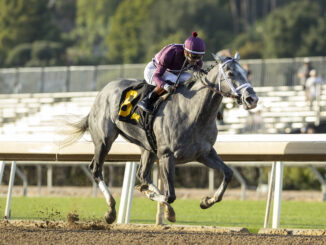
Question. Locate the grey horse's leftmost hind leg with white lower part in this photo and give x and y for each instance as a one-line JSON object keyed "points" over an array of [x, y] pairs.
{"points": [[101, 150]]}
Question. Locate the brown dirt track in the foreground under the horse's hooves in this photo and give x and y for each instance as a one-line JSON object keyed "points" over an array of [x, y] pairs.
{"points": [[100, 233]]}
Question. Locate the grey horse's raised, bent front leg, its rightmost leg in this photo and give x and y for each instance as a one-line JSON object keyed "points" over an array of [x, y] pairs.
{"points": [[212, 160]]}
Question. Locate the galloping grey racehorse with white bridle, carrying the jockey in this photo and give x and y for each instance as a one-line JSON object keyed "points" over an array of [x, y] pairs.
{"points": [[184, 126]]}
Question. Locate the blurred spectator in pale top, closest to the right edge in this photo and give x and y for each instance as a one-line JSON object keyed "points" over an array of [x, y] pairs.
{"points": [[313, 87]]}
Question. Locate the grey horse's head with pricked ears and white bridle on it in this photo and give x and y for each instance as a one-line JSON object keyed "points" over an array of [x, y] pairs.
{"points": [[231, 80]]}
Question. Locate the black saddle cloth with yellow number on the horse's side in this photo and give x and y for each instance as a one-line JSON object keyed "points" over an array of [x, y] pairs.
{"points": [[130, 113]]}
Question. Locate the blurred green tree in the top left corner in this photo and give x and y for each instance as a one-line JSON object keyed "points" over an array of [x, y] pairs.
{"points": [[24, 22]]}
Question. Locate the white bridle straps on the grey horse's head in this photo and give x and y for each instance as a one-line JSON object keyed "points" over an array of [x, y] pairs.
{"points": [[235, 94]]}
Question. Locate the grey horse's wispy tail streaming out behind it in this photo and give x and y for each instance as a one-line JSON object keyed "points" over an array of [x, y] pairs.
{"points": [[73, 130]]}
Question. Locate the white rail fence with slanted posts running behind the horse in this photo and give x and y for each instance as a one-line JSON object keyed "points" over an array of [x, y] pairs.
{"points": [[236, 150]]}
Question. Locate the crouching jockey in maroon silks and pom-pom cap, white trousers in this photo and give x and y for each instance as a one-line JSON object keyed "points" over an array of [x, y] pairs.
{"points": [[172, 61]]}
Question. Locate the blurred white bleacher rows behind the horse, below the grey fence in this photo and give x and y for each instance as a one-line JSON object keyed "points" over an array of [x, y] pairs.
{"points": [[280, 110]]}
